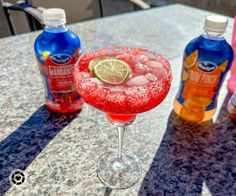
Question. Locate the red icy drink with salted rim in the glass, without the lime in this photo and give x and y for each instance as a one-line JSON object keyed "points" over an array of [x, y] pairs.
{"points": [[146, 88]]}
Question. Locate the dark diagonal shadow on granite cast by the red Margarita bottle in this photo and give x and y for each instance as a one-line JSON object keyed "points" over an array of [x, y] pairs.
{"points": [[20, 148]]}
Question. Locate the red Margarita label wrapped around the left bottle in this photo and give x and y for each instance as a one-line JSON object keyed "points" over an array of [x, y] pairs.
{"points": [[57, 74]]}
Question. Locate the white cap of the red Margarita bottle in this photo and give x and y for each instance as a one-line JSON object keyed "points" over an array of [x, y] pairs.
{"points": [[54, 16]]}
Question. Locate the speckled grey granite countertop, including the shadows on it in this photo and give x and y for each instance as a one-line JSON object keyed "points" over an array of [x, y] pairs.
{"points": [[59, 152]]}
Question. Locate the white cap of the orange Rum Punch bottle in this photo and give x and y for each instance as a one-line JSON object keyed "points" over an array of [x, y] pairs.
{"points": [[216, 24]]}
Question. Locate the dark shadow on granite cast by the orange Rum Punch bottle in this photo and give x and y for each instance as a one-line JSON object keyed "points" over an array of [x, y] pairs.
{"points": [[192, 154]]}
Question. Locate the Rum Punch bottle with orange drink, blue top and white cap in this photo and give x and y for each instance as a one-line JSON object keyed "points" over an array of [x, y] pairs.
{"points": [[206, 61]]}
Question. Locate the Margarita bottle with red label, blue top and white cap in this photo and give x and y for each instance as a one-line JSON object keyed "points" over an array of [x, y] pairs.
{"points": [[57, 49]]}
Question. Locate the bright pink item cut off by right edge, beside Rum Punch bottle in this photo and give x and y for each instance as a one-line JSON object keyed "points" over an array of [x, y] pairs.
{"points": [[232, 80]]}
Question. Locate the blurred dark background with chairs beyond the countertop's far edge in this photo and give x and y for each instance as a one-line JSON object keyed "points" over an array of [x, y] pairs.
{"points": [[15, 21]]}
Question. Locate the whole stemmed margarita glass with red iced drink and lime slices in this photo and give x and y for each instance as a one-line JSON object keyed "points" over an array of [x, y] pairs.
{"points": [[122, 82]]}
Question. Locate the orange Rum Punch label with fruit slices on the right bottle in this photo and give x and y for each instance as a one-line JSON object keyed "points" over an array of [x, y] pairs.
{"points": [[200, 81]]}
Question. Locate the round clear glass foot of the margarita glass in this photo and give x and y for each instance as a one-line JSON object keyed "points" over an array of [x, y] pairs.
{"points": [[118, 174]]}
